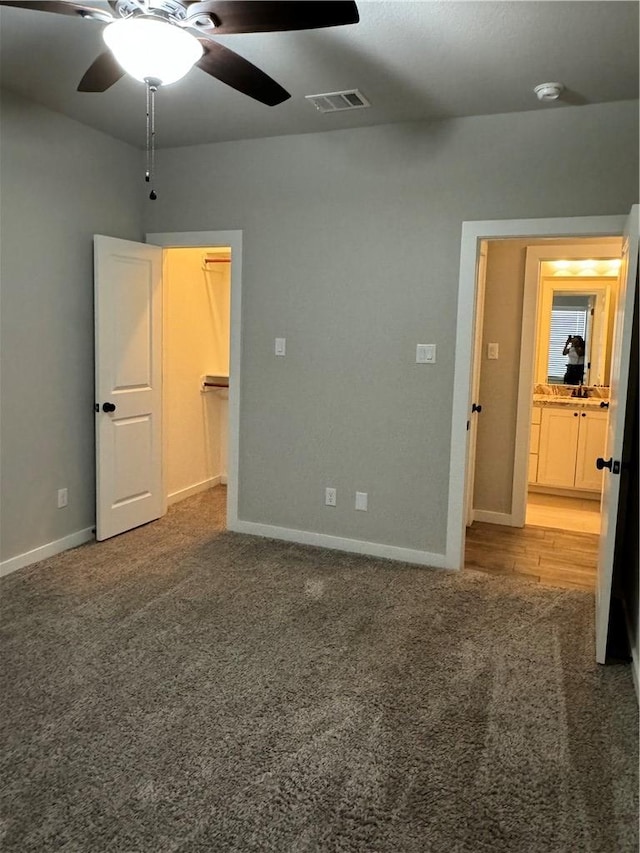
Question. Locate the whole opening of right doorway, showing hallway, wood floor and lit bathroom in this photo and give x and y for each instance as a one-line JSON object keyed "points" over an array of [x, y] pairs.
{"points": [[547, 522]]}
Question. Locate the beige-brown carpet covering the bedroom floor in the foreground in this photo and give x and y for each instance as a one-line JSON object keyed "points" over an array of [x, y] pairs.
{"points": [[180, 688]]}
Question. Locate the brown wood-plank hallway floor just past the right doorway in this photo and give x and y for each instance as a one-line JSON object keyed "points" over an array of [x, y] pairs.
{"points": [[554, 557]]}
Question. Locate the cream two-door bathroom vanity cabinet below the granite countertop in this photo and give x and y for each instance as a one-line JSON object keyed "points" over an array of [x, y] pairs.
{"points": [[566, 442]]}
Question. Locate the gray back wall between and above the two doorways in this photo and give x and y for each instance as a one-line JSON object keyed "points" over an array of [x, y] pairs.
{"points": [[351, 251]]}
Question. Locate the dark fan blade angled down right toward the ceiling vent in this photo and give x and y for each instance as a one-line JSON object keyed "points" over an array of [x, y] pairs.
{"points": [[232, 69]]}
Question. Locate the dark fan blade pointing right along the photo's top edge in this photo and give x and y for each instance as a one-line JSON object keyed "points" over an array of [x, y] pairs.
{"points": [[231, 16]]}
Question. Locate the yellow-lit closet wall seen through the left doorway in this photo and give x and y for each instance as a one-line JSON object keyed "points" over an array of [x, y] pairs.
{"points": [[196, 342]]}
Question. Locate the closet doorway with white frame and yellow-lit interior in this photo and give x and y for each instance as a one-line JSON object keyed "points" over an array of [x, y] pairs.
{"points": [[202, 327]]}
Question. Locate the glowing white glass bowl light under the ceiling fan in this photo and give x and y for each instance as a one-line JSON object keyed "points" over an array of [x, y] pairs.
{"points": [[152, 49]]}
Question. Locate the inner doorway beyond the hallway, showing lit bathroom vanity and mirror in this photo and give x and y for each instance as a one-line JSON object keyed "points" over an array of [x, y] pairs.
{"points": [[569, 299]]}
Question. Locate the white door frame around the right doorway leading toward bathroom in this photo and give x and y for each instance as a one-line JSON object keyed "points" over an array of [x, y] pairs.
{"points": [[472, 234]]}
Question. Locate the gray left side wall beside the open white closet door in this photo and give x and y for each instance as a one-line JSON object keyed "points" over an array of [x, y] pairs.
{"points": [[61, 183]]}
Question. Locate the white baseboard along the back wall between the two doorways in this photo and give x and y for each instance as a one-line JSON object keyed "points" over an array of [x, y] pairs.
{"points": [[337, 543]]}
